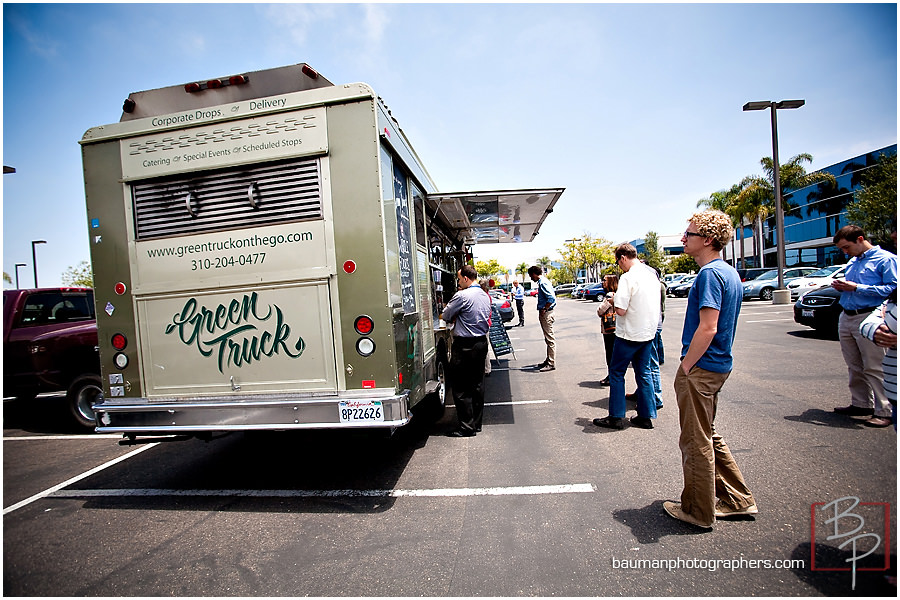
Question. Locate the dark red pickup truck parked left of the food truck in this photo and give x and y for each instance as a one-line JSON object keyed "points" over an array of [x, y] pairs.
{"points": [[50, 345]]}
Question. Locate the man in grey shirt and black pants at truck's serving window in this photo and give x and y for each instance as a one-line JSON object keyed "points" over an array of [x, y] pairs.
{"points": [[470, 312]]}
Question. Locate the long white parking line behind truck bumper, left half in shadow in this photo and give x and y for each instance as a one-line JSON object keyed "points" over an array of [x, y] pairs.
{"points": [[529, 490]]}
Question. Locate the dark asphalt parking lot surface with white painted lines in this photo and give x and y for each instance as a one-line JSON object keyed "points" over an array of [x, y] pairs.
{"points": [[541, 503]]}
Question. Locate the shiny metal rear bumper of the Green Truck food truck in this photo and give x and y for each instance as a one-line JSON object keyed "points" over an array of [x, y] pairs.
{"points": [[265, 412]]}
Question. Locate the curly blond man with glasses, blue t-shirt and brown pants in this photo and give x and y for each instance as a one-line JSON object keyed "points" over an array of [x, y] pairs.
{"points": [[713, 485]]}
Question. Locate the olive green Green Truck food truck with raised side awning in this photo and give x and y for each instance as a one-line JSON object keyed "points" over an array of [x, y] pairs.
{"points": [[269, 252]]}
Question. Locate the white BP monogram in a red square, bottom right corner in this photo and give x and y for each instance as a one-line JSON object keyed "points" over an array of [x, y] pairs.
{"points": [[847, 535]]}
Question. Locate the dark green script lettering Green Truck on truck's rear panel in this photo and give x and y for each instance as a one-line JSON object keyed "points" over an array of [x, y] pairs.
{"points": [[235, 332]]}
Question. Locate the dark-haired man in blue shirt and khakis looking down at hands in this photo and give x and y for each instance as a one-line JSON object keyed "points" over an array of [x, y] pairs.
{"points": [[870, 278]]}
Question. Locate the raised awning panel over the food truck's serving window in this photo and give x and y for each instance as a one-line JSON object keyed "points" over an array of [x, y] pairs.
{"points": [[506, 216]]}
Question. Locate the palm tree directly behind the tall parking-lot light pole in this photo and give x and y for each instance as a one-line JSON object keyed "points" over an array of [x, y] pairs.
{"points": [[756, 201]]}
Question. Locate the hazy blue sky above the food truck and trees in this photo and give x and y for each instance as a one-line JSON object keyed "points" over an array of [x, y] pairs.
{"points": [[634, 108]]}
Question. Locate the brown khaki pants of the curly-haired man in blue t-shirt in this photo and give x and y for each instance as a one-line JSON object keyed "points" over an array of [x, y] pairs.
{"points": [[709, 469]]}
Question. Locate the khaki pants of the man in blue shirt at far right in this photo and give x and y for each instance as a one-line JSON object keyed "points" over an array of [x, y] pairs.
{"points": [[863, 360]]}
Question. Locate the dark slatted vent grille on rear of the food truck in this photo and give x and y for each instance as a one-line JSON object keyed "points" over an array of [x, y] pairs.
{"points": [[247, 196]]}
